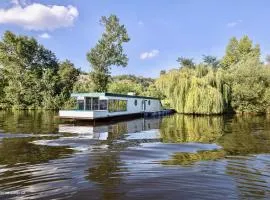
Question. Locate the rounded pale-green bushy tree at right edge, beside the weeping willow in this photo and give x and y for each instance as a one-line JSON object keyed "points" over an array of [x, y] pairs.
{"points": [[250, 81]]}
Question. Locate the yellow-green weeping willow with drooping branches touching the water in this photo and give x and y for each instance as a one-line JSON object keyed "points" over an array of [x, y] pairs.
{"points": [[199, 90]]}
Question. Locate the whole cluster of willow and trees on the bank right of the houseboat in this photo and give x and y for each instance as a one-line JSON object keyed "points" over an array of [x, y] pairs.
{"points": [[242, 84]]}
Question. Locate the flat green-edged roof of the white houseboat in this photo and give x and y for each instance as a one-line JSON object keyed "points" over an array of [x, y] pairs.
{"points": [[107, 94]]}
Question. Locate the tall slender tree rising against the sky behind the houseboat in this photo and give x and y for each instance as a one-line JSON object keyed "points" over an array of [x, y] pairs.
{"points": [[107, 52]]}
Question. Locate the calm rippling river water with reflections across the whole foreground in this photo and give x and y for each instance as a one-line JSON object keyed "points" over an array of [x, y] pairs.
{"points": [[174, 157]]}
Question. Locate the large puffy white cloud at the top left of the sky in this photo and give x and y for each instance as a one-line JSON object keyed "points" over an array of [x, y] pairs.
{"points": [[37, 16]]}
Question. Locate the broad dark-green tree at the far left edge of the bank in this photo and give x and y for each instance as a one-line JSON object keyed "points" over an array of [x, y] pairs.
{"points": [[24, 62]]}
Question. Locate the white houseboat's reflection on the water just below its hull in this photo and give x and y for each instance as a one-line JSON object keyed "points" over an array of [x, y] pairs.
{"points": [[136, 129]]}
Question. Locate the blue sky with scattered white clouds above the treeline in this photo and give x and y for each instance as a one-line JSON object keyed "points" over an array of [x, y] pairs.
{"points": [[160, 30]]}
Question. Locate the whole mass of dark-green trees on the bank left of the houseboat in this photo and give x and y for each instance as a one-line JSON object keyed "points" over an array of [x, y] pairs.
{"points": [[31, 77]]}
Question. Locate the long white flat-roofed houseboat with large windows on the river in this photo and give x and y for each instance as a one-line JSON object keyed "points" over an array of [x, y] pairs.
{"points": [[103, 105]]}
